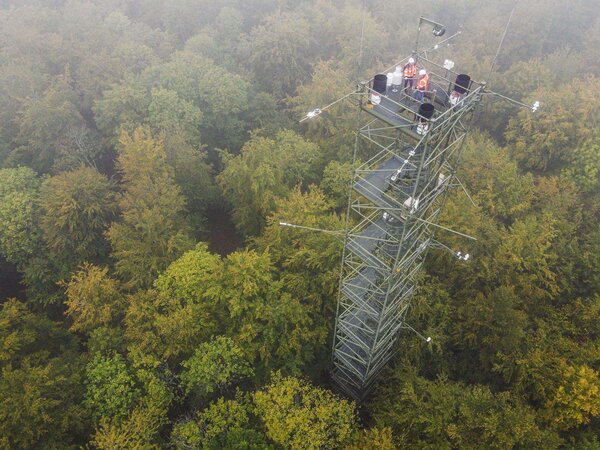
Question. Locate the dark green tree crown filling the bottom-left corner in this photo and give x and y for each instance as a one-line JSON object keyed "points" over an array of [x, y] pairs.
{"points": [[40, 382]]}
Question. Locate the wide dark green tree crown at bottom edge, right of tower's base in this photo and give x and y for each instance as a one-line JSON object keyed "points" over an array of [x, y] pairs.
{"points": [[444, 414]]}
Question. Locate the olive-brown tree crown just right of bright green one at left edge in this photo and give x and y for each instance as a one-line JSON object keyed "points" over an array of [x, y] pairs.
{"points": [[63, 225]]}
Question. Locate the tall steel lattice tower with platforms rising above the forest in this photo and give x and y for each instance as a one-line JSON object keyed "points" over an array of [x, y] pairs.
{"points": [[395, 201]]}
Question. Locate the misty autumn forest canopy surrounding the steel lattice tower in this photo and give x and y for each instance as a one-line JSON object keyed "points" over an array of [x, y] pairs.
{"points": [[133, 133]]}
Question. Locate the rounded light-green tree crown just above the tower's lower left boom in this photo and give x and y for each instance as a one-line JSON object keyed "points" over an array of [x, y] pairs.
{"points": [[267, 169]]}
